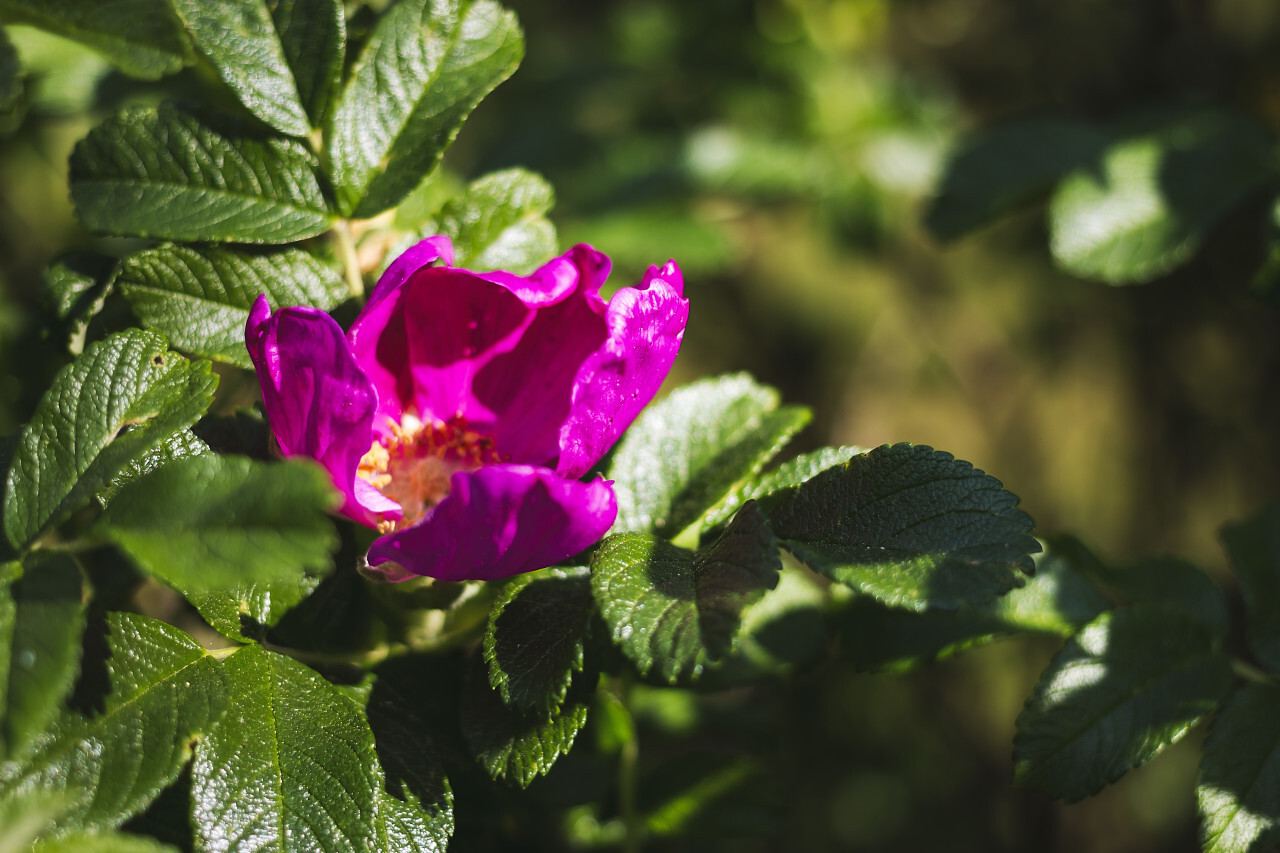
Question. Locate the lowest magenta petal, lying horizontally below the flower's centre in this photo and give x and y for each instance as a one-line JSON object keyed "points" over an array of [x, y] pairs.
{"points": [[499, 522]]}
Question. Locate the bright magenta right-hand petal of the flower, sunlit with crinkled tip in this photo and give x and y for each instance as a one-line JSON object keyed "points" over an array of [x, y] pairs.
{"points": [[618, 381]]}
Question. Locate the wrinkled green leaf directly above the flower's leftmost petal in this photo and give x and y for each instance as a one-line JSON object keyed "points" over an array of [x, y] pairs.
{"points": [[200, 297]]}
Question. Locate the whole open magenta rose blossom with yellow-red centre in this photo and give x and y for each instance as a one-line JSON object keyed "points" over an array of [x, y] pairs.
{"points": [[461, 409]]}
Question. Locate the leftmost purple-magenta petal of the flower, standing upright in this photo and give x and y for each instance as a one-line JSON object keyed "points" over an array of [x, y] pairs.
{"points": [[318, 400]]}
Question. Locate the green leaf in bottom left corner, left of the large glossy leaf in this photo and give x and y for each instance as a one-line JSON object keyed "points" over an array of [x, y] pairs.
{"points": [[164, 692]]}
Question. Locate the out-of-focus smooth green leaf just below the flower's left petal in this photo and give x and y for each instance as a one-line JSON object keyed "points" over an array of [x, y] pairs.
{"points": [[214, 523]]}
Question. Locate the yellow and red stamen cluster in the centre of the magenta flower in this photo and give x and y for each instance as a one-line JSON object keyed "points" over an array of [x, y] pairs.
{"points": [[415, 464]]}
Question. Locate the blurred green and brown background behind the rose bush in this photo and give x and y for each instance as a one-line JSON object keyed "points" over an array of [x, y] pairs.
{"points": [[784, 152]]}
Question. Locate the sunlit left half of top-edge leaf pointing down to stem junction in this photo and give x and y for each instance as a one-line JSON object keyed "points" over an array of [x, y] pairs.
{"points": [[239, 38]]}
